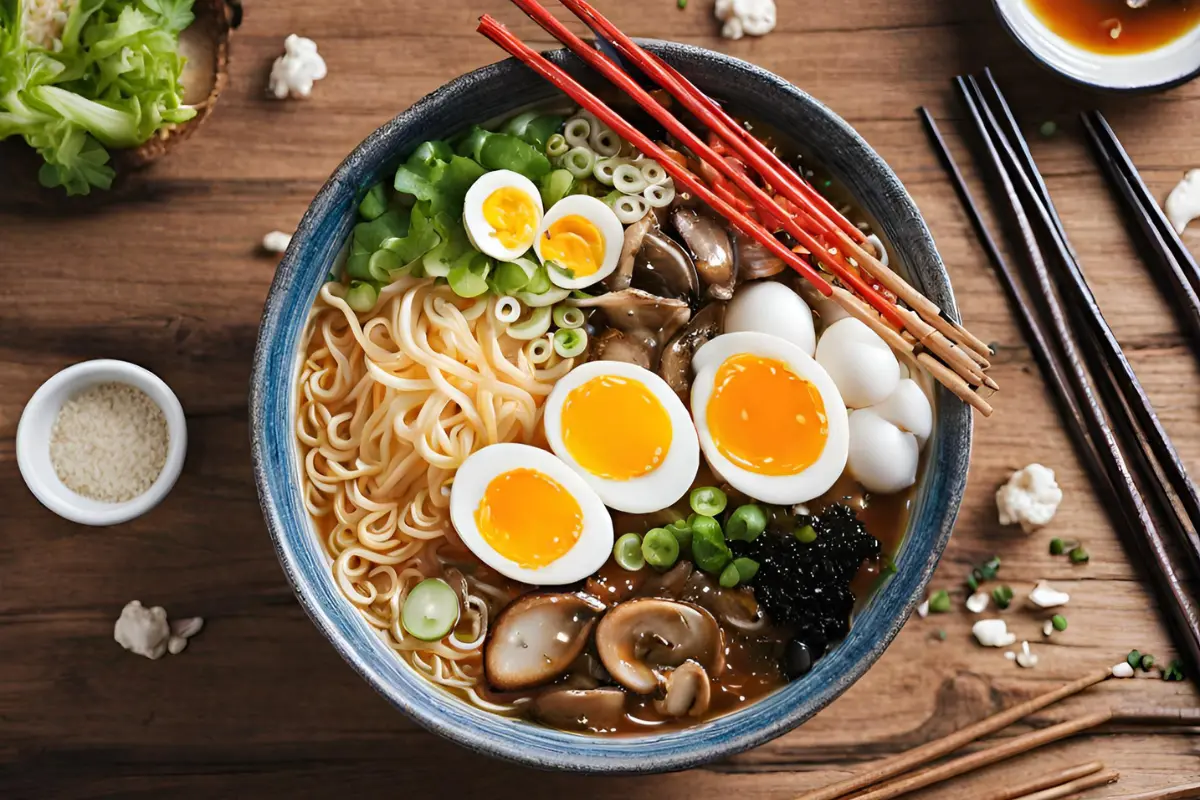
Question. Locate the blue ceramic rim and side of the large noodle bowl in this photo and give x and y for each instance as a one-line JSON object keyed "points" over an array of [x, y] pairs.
{"points": [[477, 98]]}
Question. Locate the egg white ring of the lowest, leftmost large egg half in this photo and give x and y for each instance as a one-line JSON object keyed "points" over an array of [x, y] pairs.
{"points": [[471, 483]]}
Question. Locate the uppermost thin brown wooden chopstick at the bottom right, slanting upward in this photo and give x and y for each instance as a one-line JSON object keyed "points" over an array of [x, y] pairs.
{"points": [[949, 744]]}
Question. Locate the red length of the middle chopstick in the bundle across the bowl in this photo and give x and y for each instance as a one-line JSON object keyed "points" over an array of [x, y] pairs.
{"points": [[759, 197]]}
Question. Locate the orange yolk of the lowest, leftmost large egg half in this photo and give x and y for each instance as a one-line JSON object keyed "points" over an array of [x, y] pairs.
{"points": [[529, 518]]}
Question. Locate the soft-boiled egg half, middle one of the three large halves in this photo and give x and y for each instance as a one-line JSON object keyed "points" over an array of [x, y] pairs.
{"points": [[626, 432]]}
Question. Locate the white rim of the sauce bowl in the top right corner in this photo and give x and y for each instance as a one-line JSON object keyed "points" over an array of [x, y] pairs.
{"points": [[1163, 68]]}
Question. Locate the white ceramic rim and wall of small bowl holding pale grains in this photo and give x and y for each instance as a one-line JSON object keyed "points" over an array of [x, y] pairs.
{"points": [[38, 423]]}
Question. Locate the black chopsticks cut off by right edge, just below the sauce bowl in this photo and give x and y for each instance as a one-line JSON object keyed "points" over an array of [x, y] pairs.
{"points": [[1173, 267]]}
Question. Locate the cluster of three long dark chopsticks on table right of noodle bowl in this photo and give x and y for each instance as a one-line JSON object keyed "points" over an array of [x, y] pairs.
{"points": [[1076, 348]]}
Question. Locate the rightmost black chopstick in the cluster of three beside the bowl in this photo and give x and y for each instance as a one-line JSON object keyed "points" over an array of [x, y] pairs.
{"points": [[1109, 363]]}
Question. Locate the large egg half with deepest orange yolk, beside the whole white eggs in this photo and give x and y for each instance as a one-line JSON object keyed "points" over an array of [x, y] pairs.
{"points": [[771, 420]]}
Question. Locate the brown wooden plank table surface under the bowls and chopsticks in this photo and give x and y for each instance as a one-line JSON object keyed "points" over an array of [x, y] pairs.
{"points": [[261, 705]]}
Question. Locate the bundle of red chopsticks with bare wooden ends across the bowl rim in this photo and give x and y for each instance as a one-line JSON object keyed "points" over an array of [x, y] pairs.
{"points": [[951, 353]]}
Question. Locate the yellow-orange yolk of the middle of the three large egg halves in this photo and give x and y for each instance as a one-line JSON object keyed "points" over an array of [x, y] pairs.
{"points": [[633, 448]]}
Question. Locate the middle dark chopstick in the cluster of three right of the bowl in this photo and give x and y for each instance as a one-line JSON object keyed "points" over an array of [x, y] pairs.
{"points": [[1141, 532]]}
